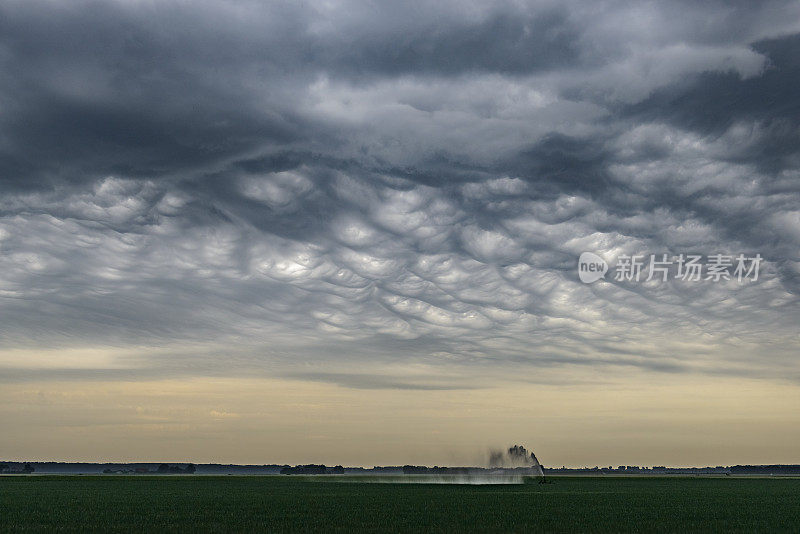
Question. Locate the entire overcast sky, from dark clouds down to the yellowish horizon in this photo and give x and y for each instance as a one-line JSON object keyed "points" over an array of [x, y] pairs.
{"points": [[374, 213]]}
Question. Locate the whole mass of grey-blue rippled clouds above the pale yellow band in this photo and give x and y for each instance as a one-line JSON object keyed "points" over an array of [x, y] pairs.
{"points": [[408, 184]]}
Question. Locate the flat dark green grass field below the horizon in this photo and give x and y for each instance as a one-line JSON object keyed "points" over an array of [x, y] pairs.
{"points": [[282, 504]]}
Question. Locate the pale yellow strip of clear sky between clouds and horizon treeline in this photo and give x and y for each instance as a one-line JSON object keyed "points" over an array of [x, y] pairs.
{"points": [[636, 418]]}
